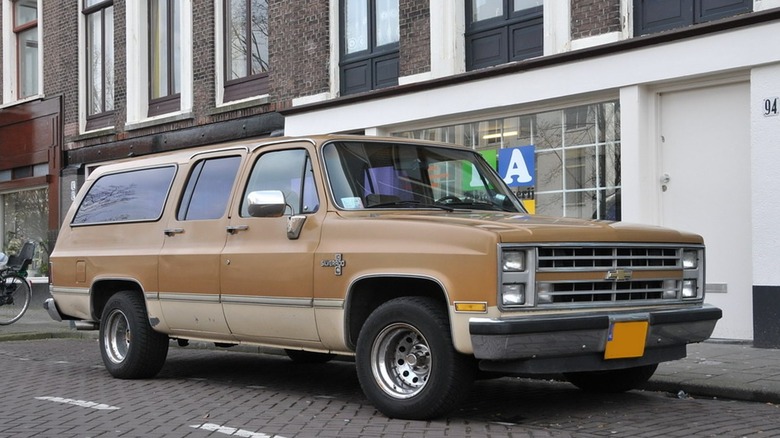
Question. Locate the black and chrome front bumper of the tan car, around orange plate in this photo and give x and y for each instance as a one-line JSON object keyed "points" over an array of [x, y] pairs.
{"points": [[554, 343]]}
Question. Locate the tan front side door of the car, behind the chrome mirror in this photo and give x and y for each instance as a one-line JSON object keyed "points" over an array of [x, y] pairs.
{"points": [[267, 288]]}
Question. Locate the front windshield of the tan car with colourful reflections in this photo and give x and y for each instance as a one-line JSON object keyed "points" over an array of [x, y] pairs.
{"points": [[398, 175]]}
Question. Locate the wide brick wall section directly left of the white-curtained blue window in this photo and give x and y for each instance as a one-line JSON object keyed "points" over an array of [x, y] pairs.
{"points": [[299, 49]]}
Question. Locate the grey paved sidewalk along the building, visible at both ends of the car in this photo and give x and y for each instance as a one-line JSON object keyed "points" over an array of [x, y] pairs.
{"points": [[721, 369]]}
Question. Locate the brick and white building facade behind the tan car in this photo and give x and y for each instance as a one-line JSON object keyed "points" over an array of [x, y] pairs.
{"points": [[662, 113]]}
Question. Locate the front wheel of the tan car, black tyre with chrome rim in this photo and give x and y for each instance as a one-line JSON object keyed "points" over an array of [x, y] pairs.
{"points": [[406, 363]]}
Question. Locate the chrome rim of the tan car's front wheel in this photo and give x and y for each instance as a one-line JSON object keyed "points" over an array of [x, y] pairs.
{"points": [[401, 361]]}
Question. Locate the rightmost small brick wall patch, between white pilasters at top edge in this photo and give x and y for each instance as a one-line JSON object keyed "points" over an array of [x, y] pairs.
{"points": [[594, 17]]}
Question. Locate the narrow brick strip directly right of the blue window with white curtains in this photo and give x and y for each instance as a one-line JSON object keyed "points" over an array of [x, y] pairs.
{"points": [[415, 44]]}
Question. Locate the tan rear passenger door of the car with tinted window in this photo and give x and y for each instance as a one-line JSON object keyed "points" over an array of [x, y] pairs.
{"points": [[190, 258]]}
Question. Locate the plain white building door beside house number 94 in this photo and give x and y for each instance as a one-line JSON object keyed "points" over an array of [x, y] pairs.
{"points": [[705, 188]]}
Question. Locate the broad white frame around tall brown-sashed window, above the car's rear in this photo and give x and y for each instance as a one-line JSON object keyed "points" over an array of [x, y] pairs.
{"points": [[137, 55]]}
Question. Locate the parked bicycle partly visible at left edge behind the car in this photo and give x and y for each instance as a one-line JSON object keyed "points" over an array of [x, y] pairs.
{"points": [[15, 289]]}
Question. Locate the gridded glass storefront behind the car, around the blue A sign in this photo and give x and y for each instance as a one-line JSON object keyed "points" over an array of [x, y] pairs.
{"points": [[576, 151]]}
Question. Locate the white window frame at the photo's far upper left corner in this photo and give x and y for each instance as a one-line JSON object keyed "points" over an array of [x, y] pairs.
{"points": [[10, 67]]}
